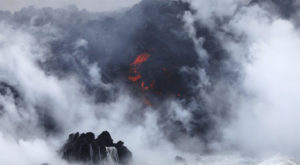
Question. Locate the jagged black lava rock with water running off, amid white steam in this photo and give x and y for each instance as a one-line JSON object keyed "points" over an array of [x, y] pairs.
{"points": [[85, 148]]}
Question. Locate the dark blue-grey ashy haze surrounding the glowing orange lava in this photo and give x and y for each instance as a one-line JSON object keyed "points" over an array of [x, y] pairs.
{"points": [[112, 42]]}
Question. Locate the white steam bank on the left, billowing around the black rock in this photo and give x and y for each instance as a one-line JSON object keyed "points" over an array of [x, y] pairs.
{"points": [[22, 137]]}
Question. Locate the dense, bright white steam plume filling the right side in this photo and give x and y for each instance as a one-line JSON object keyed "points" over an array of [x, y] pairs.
{"points": [[265, 116]]}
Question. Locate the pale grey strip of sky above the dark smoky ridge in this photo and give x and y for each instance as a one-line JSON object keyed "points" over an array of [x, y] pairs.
{"points": [[91, 5]]}
